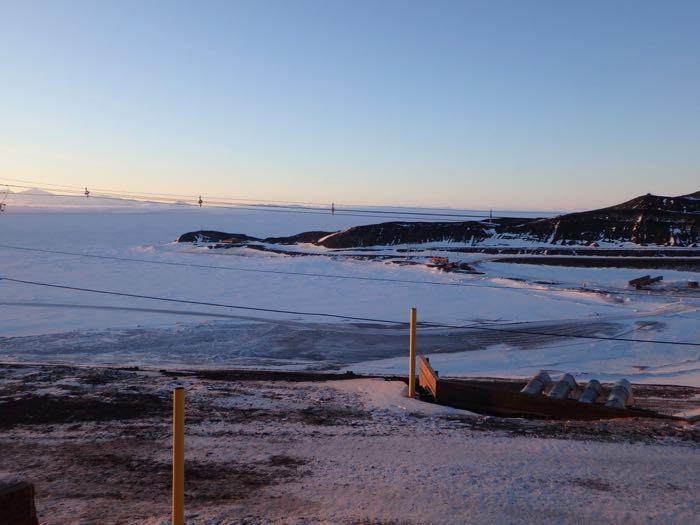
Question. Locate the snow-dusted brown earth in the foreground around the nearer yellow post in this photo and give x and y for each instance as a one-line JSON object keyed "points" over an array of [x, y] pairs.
{"points": [[268, 449]]}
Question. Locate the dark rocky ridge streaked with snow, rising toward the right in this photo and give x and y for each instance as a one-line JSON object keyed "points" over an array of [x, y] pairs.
{"points": [[648, 220]]}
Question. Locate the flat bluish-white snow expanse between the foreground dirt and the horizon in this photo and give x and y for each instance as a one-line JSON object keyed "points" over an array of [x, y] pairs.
{"points": [[48, 324]]}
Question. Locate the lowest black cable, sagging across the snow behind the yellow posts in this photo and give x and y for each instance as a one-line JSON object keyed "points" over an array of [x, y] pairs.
{"points": [[348, 317]]}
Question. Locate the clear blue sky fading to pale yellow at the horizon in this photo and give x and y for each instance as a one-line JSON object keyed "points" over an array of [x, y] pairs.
{"points": [[495, 104]]}
